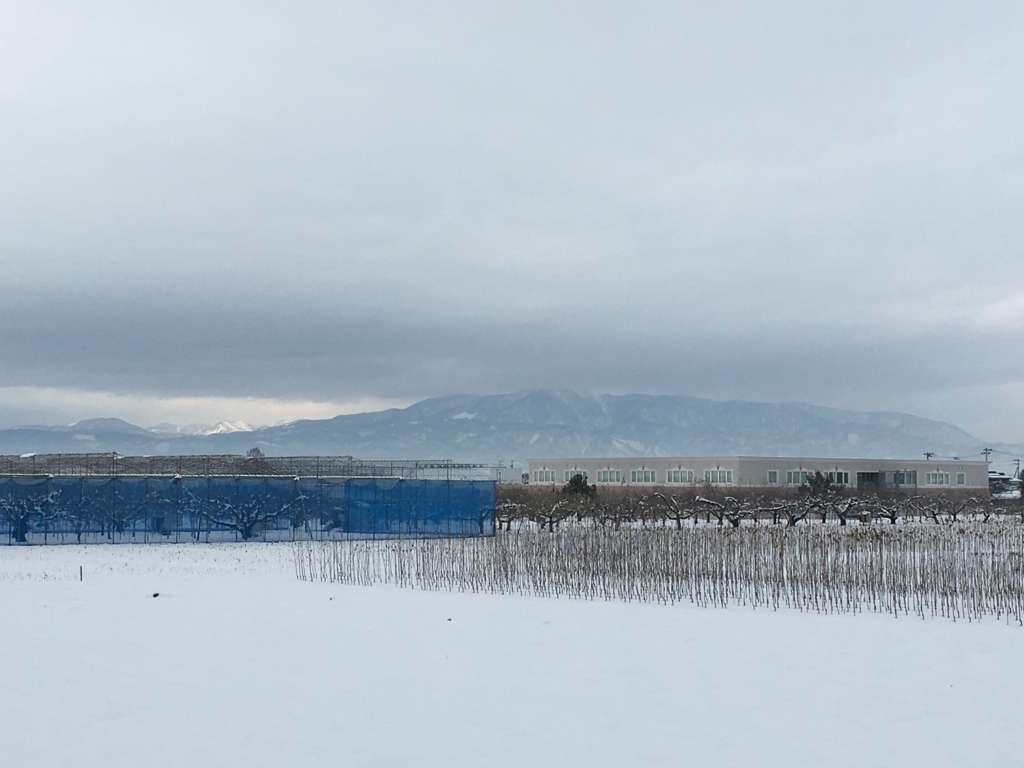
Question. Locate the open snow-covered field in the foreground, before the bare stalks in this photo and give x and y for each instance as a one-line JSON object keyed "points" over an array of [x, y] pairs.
{"points": [[239, 664]]}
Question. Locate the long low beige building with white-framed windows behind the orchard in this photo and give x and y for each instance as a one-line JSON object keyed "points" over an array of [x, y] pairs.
{"points": [[761, 472]]}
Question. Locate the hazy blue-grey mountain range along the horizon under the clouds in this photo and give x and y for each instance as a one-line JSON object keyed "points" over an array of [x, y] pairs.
{"points": [[538, 423]]}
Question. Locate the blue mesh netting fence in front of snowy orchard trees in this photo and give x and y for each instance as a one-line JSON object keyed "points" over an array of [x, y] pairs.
{"points": [[56, 510]]}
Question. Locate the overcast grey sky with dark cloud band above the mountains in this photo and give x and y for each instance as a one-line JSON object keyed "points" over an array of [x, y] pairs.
{"points": [[288, 210]]}
